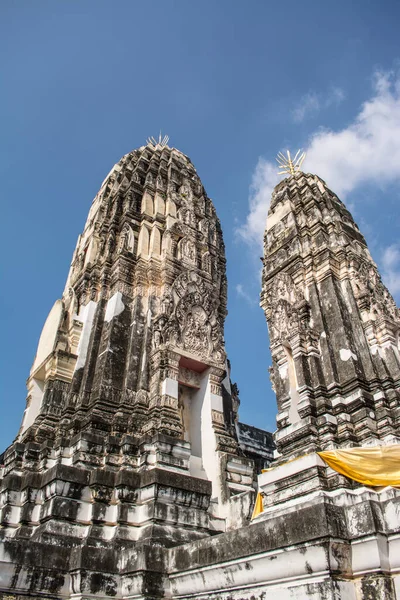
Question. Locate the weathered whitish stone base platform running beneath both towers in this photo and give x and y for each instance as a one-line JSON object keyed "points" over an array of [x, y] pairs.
{"points": [[310, 542]]}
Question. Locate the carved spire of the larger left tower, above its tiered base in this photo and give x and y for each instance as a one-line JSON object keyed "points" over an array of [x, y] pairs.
{"points": [[145, 297]]}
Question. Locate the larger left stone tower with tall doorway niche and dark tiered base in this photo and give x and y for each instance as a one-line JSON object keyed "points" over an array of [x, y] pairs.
{"points": [[130, 432]]}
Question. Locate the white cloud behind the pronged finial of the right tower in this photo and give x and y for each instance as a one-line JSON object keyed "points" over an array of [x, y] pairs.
{"points": [[366, 151]]}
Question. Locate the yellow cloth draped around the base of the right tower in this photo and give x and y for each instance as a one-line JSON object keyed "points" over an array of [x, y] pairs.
{"points": [[375, 466]]}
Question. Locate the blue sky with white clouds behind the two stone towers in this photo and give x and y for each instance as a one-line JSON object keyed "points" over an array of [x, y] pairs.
{"points": [[231, 83]]}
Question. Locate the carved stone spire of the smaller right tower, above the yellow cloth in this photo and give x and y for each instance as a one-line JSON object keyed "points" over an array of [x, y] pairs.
{"points": [[333, 325]]}
